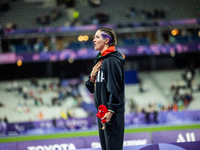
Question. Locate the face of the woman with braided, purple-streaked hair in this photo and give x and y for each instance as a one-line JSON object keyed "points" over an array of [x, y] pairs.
{"points": [[99, 42]]}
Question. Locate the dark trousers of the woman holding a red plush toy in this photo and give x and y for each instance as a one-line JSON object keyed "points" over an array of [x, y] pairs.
{"points": [[113, 136]]}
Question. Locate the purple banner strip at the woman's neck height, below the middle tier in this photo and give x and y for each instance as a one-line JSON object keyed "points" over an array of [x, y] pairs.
{"points": [[87, 53]]}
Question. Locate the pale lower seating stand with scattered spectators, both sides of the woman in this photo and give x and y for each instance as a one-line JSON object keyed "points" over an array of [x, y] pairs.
{"points": [[20, 108]]}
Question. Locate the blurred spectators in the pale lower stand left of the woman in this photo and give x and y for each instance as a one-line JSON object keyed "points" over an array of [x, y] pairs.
{"points": [[35, 91]]}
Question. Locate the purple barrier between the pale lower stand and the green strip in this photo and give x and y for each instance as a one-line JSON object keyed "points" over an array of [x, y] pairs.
{"points": [[71, 124]]}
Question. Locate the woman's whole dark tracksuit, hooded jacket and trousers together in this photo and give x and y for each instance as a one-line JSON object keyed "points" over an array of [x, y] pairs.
{"points": [[109, 91]]}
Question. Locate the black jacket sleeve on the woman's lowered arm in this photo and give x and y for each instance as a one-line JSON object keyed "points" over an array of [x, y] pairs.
{"points": [[114, 74]]}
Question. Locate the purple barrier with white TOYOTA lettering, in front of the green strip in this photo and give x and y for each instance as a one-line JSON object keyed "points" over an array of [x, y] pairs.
{"points": [[181, 139]]}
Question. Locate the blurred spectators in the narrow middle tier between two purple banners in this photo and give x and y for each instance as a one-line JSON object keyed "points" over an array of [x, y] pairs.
{"points": [[59, 43]]}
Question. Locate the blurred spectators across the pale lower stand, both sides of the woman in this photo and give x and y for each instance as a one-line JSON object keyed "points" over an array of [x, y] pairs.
{"points": [[180, 91]]}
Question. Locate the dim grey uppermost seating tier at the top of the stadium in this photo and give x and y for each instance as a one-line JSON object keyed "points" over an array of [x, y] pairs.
{"points": [[20, 14]]}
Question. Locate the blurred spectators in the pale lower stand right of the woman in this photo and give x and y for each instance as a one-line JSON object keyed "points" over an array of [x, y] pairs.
{"points": [[181, 92]]}
